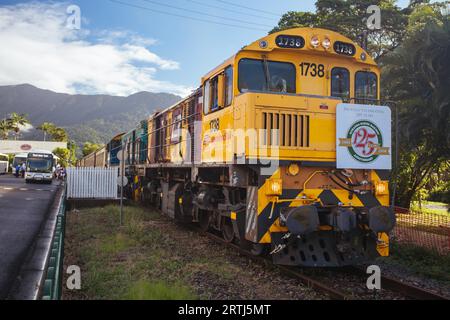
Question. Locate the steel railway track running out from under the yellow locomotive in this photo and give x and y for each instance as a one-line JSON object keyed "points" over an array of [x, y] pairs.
{"points": [[399, 288]]}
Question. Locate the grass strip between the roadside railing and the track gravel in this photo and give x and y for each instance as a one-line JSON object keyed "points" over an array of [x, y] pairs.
{"points": [[127, 262]]}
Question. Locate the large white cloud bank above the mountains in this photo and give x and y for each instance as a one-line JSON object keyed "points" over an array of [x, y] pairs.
{"points": [[38, 49]]}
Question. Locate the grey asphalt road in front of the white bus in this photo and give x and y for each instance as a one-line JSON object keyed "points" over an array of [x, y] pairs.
{"points": [[23, 210]]}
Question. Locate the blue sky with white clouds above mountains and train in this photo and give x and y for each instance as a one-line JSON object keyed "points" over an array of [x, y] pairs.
{"points": [[167, 53]]}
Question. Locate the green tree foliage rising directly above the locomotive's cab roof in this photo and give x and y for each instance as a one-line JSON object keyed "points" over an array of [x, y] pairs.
{"points": [[349, 18]]}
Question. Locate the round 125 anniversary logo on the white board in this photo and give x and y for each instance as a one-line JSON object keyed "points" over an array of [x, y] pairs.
{"points": [[365, 141]]}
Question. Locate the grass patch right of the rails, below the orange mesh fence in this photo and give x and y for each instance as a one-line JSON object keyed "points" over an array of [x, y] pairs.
{"points": [[421, 261]]}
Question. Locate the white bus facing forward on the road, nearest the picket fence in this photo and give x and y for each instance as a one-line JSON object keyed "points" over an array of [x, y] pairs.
{"points": [[40, 167]]}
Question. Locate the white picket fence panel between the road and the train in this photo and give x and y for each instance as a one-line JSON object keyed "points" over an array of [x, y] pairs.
{"points": [[92, 183]]}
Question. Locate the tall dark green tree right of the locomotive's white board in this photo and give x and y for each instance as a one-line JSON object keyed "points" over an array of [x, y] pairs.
{"points": [[416, 75]]}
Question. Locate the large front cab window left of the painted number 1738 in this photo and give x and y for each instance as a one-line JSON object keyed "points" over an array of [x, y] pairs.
{"points": [[266, 76]]}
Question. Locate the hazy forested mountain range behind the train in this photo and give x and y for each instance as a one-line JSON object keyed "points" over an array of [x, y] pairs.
{"points": [[93, 118]]}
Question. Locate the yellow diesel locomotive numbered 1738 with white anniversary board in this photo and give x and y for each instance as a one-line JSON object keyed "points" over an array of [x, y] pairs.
{"points": [[284, 148]]}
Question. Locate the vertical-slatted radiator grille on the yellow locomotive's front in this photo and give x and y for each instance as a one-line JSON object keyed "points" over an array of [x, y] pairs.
{"points": [[293, 129]]}
